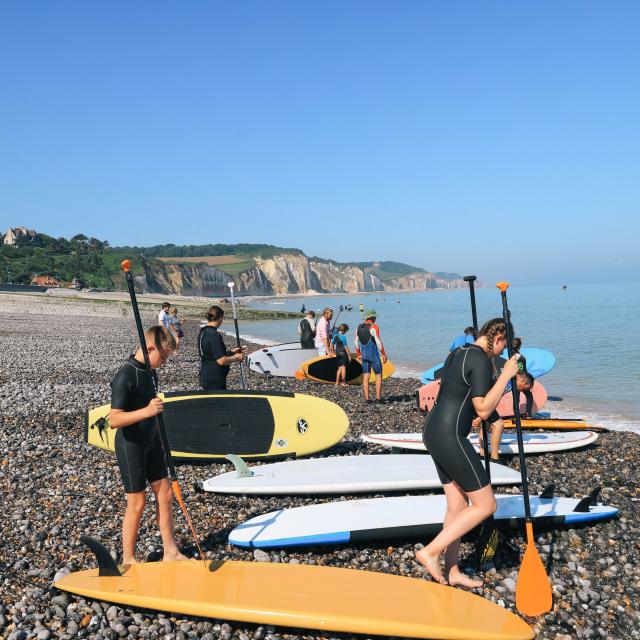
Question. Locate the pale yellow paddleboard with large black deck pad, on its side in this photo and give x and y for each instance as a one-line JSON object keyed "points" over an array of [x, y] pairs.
{"points": [[203, 425]]}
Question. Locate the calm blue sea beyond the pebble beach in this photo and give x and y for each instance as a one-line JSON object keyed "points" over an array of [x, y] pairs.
{"points": [[590, 328]]}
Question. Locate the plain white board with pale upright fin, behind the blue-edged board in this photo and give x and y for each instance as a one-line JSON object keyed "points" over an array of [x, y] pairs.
{"points": [[342, 474]]}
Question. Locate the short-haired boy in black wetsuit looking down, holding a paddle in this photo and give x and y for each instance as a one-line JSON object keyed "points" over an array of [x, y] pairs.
{"points": [[139, 452]]}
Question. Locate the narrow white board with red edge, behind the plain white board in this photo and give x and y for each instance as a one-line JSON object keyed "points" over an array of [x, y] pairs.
{"points": [[533, 442]]}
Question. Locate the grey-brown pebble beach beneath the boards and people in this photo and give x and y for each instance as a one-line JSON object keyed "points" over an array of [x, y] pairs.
{"points": [[56, 365]]}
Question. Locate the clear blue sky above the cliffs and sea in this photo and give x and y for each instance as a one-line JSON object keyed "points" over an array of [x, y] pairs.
{"points": [[496, 138]]}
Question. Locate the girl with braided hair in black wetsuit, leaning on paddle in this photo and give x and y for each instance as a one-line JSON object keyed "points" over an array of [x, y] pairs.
{"points": [[467, 390]]}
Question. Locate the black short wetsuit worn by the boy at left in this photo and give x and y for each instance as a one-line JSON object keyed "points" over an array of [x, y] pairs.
{"points": [[138, 447]]}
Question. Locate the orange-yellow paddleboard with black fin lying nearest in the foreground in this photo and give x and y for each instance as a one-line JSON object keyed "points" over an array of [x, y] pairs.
{"points": [[307, 596]]}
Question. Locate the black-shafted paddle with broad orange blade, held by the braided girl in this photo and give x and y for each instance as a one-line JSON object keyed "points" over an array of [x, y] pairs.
{"points": [[533, 589]]}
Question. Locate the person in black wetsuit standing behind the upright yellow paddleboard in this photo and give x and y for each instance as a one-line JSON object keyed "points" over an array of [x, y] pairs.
{"points": [[215, 358]]}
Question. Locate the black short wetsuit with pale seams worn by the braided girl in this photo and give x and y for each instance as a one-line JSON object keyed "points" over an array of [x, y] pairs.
{"points": [[468, 374]]}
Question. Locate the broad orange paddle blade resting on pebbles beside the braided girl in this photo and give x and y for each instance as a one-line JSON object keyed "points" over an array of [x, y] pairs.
{"points": [[533, 589]]}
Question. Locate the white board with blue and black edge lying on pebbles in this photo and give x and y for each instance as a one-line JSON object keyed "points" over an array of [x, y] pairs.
{"points": [[417, 517]]}
